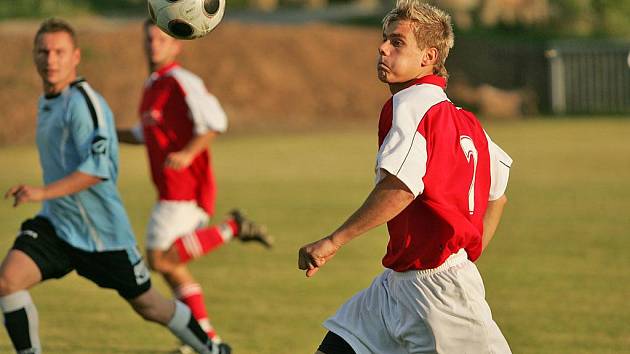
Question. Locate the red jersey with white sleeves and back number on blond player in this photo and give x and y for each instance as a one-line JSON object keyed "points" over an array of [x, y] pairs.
{"points": [[443, 155]]}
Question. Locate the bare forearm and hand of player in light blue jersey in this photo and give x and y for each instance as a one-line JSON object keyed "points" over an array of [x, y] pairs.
{"points": [[70, 184]]}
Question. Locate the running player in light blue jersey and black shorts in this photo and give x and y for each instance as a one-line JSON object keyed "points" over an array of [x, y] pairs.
{"points": [[82, 225]]}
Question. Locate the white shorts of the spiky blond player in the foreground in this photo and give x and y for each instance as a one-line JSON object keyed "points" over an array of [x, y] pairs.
{"points": [[441, 310]]}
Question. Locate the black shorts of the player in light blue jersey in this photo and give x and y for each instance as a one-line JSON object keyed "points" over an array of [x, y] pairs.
{"points": [[56, 258]]}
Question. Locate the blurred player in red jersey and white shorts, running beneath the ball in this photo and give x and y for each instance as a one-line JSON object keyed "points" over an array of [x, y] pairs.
{"points": [[179, 119]]}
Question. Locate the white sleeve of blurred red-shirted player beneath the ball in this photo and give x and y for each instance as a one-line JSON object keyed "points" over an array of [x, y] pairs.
{"points": [[205, 110]]}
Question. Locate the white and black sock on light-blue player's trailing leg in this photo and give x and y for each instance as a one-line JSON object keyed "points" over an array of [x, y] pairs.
{"points": [[184, 326]]}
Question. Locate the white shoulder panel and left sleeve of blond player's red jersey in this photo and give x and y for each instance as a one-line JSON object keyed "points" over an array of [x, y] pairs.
{"points": [[403, 152]]}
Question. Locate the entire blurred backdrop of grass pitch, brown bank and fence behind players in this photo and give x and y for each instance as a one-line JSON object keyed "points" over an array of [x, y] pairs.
{"points": [[550, 80]]}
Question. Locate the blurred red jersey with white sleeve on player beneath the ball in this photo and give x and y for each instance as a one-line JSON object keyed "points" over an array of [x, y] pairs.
{"points": [[175, 107]]}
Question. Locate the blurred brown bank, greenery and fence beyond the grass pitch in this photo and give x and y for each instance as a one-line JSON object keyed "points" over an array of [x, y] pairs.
{"points": [[311, 62]]}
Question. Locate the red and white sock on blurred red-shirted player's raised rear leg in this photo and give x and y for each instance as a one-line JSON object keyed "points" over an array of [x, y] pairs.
{"points": [[204, 240]]}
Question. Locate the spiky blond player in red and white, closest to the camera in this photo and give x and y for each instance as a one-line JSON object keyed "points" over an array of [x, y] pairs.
{"points": [[440, 184]]}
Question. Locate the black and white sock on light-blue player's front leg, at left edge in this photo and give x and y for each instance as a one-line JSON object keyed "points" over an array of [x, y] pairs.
{"points": [[21, 321]]}
